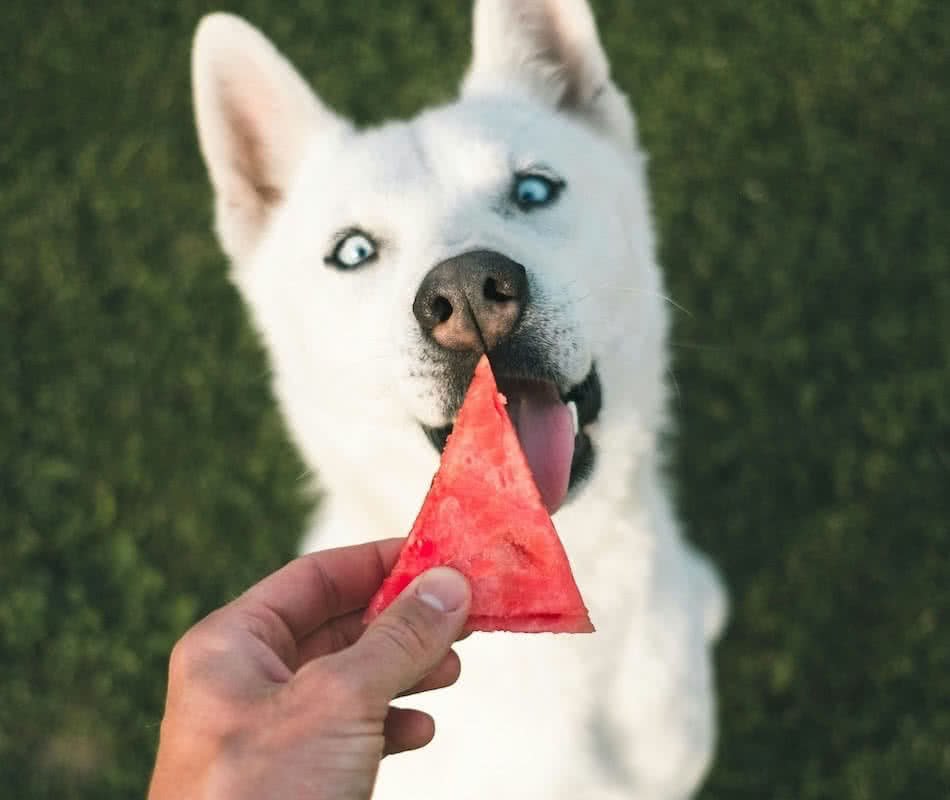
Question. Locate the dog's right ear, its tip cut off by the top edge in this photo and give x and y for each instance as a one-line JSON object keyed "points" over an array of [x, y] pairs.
{"points": [[550, 49]]}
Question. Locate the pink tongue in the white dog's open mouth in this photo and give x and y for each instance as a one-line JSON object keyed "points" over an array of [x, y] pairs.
{"points": [[546, 432]]}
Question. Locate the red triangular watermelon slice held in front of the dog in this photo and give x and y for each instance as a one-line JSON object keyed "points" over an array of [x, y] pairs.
{"points": [[484, 516]]}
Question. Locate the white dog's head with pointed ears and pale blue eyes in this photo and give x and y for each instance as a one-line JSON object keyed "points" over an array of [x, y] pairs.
{"points": [[380, 264]]}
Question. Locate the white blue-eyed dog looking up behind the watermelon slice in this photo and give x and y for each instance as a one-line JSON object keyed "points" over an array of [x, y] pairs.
{"points": [[378, 264]]}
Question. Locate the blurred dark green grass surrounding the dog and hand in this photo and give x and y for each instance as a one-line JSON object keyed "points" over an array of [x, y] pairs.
{"points": [[802, 188]]}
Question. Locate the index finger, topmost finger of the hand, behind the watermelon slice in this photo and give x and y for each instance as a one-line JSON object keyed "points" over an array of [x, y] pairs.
{"points": [[320, 586]]}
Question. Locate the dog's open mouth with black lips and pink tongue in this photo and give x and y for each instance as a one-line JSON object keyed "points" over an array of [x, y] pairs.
{"points": [[553, 429]]}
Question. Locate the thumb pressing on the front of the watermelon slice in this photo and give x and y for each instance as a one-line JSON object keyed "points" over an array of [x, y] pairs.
{"points": [[411, 637]]}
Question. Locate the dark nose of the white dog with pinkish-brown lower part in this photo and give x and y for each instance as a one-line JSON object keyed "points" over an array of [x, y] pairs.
{"points": [[473, 301]]}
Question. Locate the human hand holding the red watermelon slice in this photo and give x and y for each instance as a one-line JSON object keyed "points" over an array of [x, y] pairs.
{"points": [[284, 694]]}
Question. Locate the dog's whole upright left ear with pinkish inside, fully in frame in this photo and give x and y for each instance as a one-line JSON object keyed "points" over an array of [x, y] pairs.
{"points": [[255, 117]]}
